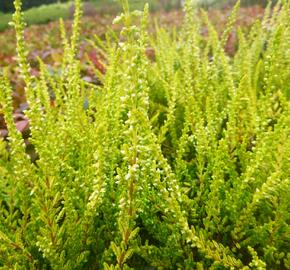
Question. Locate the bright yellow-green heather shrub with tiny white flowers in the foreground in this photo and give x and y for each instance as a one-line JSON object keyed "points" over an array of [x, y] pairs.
{"points": [[177, 163]]}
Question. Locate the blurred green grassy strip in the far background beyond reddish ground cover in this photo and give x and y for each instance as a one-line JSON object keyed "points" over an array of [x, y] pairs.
{"points": [[43, 11]]}
